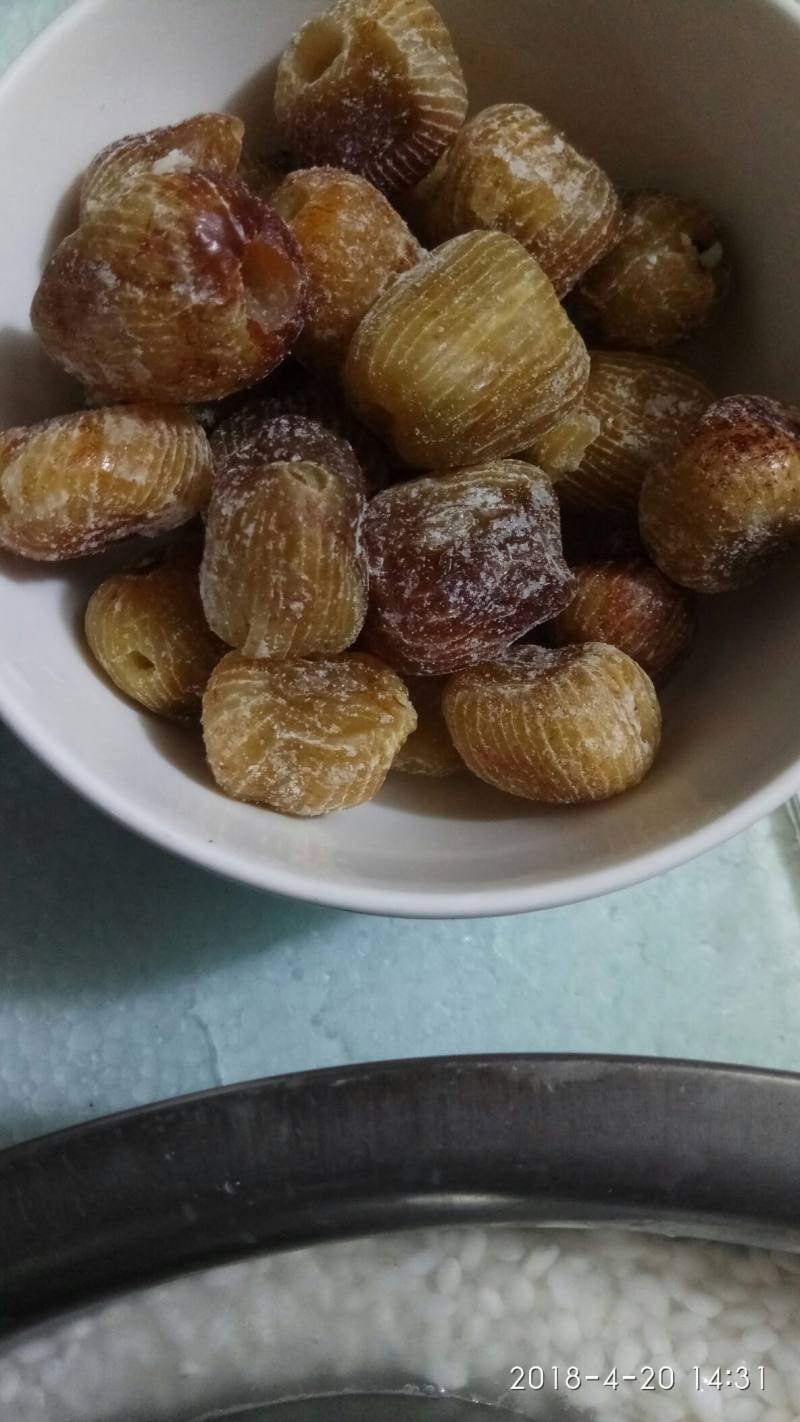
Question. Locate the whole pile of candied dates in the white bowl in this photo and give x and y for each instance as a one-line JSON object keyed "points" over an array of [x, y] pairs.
{"points": [[401, 490]]}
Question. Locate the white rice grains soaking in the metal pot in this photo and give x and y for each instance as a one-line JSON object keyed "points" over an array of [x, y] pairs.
{"points": [[451, 1310]]}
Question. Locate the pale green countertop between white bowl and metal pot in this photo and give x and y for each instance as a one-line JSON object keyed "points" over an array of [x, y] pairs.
{"points": [[127, 976]]}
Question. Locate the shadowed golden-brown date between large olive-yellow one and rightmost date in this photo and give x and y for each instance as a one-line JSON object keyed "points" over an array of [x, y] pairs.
{"points": [[644, 407]]}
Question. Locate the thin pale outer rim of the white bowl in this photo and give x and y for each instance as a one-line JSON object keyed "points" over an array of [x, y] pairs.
{"points": [[318, 889]]}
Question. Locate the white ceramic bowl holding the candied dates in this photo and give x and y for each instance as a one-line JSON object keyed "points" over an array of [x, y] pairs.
{"points": [[701, 96]]}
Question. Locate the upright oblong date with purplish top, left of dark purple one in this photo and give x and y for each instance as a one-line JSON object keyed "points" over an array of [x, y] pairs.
{"points": [[283, 572]]}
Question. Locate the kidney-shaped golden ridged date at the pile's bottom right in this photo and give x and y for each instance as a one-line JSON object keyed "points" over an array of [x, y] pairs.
{"points": [[563, 727]]}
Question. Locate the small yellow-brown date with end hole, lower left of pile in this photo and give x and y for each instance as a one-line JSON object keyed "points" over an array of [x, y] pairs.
{"points": [[148, 634]]}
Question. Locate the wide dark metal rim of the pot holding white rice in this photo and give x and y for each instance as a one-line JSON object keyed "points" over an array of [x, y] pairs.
{"points": [[691, 1150]]}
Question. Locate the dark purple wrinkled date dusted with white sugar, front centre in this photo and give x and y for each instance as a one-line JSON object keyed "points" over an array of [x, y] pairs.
{"points": [[461, 565]]}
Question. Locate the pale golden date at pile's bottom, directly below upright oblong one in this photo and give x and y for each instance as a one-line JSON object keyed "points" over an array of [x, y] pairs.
{"points": [[305, 737]]}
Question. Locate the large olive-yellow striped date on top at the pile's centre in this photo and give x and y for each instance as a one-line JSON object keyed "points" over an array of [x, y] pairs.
{"points": [[467, 358]]}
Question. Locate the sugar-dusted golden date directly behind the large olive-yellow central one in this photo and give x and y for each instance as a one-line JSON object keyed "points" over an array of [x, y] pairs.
{"points": [[511, 170]]}
